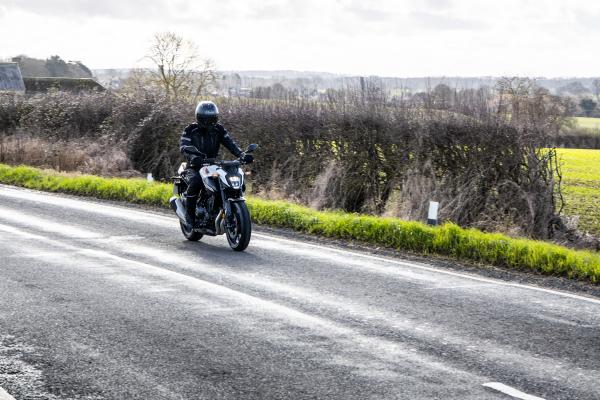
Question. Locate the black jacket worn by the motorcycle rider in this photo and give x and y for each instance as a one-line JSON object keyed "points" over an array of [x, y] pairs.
{"points": [[207, 141]]}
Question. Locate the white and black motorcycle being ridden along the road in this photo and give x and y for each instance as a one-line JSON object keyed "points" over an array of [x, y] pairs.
{"points": [[221, 207]]}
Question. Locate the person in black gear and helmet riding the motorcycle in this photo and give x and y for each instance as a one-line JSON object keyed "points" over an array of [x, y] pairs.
{"points": [[199, 141]]}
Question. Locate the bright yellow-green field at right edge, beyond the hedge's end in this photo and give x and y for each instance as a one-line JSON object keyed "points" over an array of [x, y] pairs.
{"points": [[581, 174]]}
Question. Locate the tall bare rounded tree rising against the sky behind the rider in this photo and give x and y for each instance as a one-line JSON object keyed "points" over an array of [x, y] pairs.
{"points": [[179, 69]]}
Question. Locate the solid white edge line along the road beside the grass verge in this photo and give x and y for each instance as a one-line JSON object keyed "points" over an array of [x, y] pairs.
{"points": [[147, 217]]}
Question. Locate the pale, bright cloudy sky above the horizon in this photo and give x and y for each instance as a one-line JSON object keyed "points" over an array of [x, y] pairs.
{"points": [[402, 38]]}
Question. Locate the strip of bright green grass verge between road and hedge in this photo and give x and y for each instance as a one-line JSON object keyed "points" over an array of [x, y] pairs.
{"points": [[447, 240]]}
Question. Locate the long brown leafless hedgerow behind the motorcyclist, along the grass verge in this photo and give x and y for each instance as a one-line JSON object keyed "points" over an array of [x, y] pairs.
{"points": [[359, 150]]}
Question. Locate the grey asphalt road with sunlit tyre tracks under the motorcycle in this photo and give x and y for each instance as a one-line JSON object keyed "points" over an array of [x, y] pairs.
{"points": [[102, 301]]}
